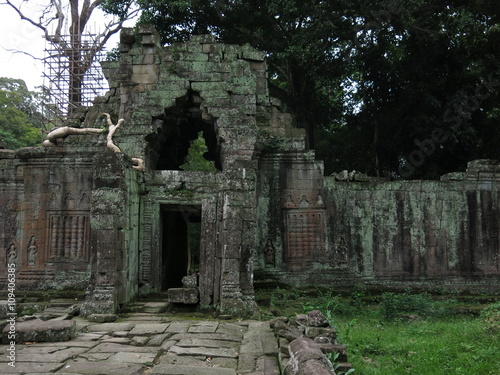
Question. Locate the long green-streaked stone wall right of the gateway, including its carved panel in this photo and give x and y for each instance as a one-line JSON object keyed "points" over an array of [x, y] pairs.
{"points": [[381, 234]]}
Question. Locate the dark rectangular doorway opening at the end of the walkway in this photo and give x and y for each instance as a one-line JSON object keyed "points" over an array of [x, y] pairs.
{"points": [[180, 239]]}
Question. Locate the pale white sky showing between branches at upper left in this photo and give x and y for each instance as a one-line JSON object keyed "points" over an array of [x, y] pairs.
{"points": [[21, 35]]}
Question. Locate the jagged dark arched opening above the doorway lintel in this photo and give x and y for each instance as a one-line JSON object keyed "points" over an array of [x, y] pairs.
{"points": [[177, 128]]}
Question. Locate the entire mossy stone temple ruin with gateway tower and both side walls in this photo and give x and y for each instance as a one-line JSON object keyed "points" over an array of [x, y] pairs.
{"points": [[81, 214]]}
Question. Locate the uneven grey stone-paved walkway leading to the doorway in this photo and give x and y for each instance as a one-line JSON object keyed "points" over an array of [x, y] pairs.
{"points": [[153, 344]]}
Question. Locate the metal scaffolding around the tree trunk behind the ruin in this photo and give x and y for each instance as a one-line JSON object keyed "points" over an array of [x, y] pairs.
{"points": [[72, 76]]}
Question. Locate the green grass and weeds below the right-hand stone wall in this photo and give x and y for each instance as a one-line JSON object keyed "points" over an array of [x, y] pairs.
{"points": [[404, 333]]}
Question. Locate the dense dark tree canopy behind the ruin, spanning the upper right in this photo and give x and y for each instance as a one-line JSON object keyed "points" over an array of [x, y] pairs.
{"points": [[404, 88]]}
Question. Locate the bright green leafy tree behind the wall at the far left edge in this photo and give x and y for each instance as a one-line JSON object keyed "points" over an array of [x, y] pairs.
{"points": [[16, 111]]}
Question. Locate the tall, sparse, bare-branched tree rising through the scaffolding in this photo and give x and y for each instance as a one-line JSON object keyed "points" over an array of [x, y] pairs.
{"points": [[51, 18]]}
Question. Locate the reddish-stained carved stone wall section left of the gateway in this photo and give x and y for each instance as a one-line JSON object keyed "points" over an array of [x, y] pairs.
{"points": [[46, 216]]}
